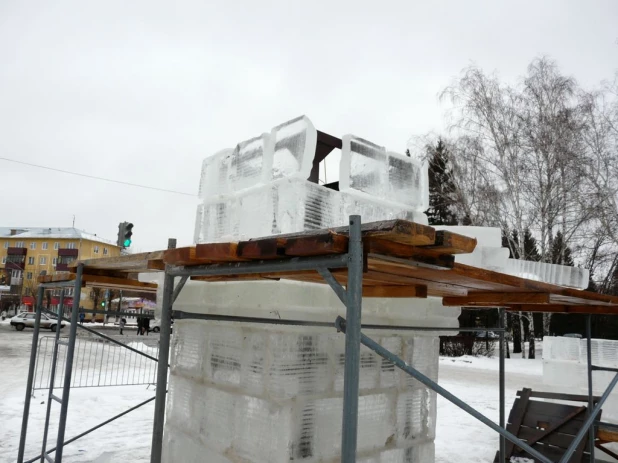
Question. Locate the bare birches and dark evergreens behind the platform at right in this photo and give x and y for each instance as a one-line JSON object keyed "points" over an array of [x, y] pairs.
{"points": [[537, 159]]}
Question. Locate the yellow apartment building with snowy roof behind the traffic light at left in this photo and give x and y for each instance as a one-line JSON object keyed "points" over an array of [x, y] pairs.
{"points": [[26, 253]]}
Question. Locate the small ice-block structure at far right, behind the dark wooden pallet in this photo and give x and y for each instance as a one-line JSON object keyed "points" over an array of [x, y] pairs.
{"points": [[565, 368]]}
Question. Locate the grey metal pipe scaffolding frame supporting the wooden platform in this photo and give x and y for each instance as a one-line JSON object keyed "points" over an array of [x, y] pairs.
{"points": [[351, 326]]}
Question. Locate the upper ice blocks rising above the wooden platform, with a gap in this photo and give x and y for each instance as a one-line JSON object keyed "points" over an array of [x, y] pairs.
{"points": [[260, 188]]}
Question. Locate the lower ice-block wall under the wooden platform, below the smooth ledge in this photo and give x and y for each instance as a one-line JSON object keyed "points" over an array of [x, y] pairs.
{"points": [[243, 393]]}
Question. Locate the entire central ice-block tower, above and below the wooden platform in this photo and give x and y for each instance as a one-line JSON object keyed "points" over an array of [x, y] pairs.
{"points": [[267, 393]]}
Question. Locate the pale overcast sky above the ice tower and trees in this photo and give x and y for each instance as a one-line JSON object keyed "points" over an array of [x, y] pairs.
{"points": [[142, 90]]}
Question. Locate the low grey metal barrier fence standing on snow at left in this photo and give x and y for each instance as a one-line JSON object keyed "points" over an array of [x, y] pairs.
{"points": [[98, 362]]}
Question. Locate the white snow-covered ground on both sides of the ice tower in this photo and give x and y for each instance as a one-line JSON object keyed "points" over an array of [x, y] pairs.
{"points": [[459, 437]]}
